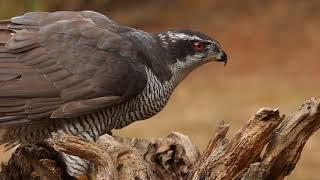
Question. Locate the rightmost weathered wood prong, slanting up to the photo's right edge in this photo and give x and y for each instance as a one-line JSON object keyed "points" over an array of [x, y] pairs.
{"points": [[284, 150]]}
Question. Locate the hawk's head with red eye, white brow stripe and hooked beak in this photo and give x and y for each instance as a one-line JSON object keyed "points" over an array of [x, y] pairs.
{"points": [[188, 50]]}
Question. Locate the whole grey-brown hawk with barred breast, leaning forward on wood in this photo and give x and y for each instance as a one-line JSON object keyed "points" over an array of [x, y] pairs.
{"points": [[84, 74]]}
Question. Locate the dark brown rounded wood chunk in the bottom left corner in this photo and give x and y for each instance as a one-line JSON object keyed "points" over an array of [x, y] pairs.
{"points": [[34, 161]]}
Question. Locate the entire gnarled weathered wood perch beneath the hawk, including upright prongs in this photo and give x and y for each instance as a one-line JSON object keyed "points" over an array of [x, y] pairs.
{"points": [[268, 146]]}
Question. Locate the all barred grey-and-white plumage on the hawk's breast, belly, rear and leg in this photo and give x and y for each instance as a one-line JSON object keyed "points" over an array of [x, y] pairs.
{"points": [[92, 125]]}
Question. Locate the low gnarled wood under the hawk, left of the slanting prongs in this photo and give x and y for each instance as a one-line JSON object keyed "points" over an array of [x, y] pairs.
{"points": [[115, 158]]}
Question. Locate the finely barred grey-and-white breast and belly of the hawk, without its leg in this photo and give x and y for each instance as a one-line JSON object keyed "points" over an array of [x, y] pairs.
{"points": [[146, 104]]}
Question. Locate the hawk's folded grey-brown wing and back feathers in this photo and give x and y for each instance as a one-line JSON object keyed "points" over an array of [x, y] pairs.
{"points": [[62, 65]]}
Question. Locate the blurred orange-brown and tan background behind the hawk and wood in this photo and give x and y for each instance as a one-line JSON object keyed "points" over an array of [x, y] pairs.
{"points": [[273, 48]]}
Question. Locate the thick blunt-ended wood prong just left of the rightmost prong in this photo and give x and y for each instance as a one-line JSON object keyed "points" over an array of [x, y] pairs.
{"points": [[230, 158]]}
